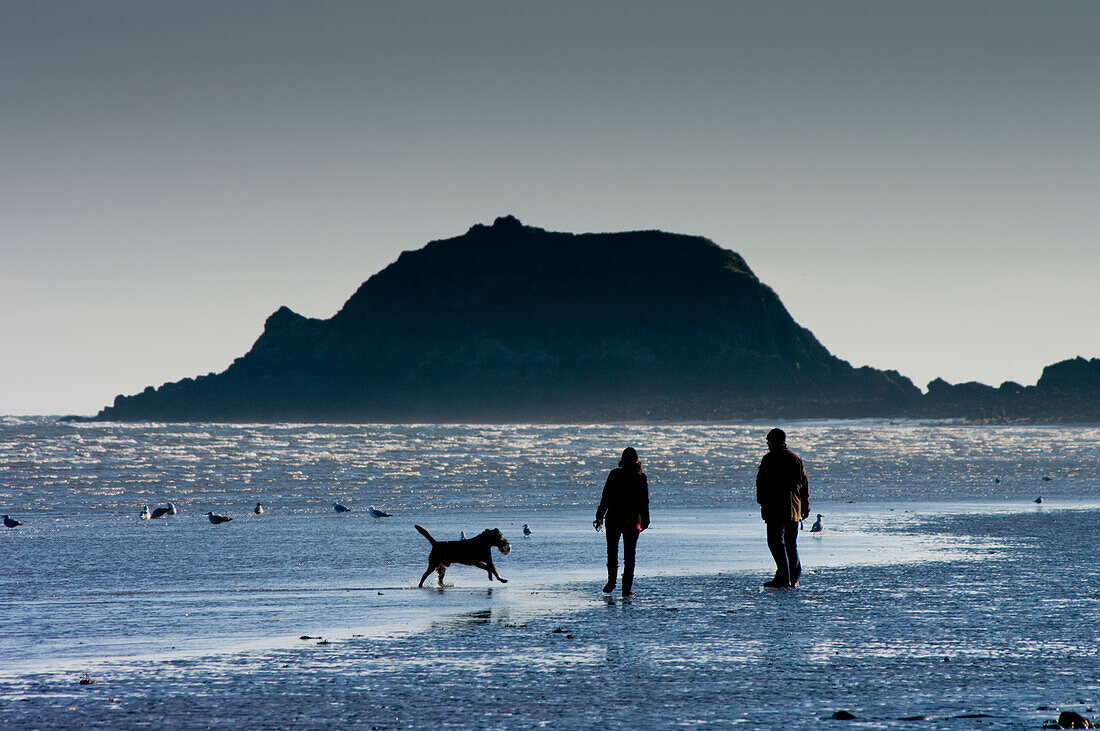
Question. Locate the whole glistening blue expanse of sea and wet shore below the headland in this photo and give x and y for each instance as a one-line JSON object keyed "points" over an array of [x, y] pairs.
{"points": [[941, 594]]}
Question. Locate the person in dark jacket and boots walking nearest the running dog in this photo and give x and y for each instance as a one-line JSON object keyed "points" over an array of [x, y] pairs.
{"points": [[625, 506]]}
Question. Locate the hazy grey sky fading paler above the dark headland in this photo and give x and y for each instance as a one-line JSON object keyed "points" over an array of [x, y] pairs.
{"points": [[919, 182]]}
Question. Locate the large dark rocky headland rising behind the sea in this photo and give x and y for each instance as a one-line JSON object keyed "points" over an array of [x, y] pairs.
{"points": [[511, 323]]}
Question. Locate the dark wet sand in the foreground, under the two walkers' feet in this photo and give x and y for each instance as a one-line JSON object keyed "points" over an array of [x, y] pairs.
{"points": [[975, 618]]}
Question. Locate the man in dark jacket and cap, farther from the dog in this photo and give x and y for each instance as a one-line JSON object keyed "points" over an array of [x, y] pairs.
{"points": [[784, 494]]}
